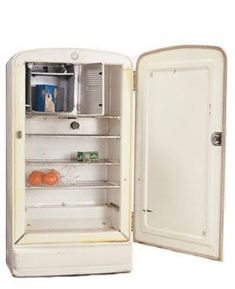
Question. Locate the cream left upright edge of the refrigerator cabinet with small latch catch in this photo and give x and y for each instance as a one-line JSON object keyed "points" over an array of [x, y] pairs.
{"points": [[15, 153]]}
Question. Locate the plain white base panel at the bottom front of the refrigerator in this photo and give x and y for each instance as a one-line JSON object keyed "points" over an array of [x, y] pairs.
{"points": [[70, 260]]}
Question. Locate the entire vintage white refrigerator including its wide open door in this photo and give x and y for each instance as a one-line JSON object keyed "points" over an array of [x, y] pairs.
{"points": [[158, 135]]}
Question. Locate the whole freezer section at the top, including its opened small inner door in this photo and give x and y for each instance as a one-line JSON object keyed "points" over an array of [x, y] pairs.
{"points": [[55, 89]]}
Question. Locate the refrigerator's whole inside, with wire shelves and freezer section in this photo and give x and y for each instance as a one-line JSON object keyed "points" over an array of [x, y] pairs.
{"points": [[87, 195]]}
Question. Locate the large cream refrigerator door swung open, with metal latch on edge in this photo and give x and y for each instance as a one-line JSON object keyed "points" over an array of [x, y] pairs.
{"points": [[180, 141]]}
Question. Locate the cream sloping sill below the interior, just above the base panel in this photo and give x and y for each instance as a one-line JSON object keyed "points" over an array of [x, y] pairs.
{"points": [[72, 236]]}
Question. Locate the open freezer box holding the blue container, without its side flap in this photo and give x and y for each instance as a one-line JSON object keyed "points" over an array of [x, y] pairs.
{"points": [[50, 88]]}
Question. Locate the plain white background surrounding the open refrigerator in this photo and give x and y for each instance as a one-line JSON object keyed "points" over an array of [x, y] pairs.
{"points": [[128, 27]]}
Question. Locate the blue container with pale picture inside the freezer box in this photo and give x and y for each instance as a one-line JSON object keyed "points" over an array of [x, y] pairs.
{"points": [[45, 98]]}
